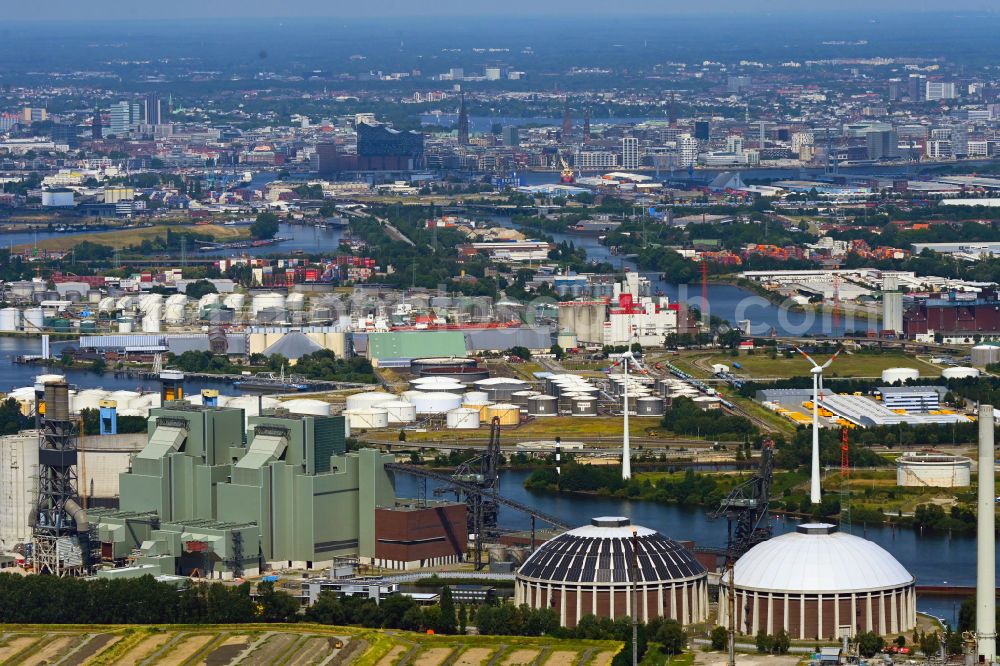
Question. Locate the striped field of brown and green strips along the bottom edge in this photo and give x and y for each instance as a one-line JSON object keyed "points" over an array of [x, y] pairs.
{"points": [[288, 645]]}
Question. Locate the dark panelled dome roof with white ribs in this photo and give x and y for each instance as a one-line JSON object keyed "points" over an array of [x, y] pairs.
{"points": [[602, 553]]}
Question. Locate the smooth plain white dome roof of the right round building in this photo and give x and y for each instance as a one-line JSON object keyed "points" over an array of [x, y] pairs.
{"points": [[817, 558]]}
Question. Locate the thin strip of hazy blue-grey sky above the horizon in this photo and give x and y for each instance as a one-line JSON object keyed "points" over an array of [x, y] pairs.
{"points": [[103, 10]]}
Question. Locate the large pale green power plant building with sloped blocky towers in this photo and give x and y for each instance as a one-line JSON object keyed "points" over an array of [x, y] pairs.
{"points": [[204, 495]]}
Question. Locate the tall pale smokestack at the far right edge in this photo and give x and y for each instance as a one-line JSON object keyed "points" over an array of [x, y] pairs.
{"points": [[986, 624]]}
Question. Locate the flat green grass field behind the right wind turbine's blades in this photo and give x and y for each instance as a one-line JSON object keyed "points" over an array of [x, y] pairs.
{"points": [[846, 365]]}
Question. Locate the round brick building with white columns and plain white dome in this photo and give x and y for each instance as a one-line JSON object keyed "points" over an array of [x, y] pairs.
{"points": [[817, 583]]}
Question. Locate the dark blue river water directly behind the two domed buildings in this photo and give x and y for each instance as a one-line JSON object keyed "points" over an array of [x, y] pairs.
{"points": [[933, 558]]}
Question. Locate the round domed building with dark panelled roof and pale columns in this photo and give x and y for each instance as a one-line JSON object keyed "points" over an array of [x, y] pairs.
{"points": [[588, 571]]}
